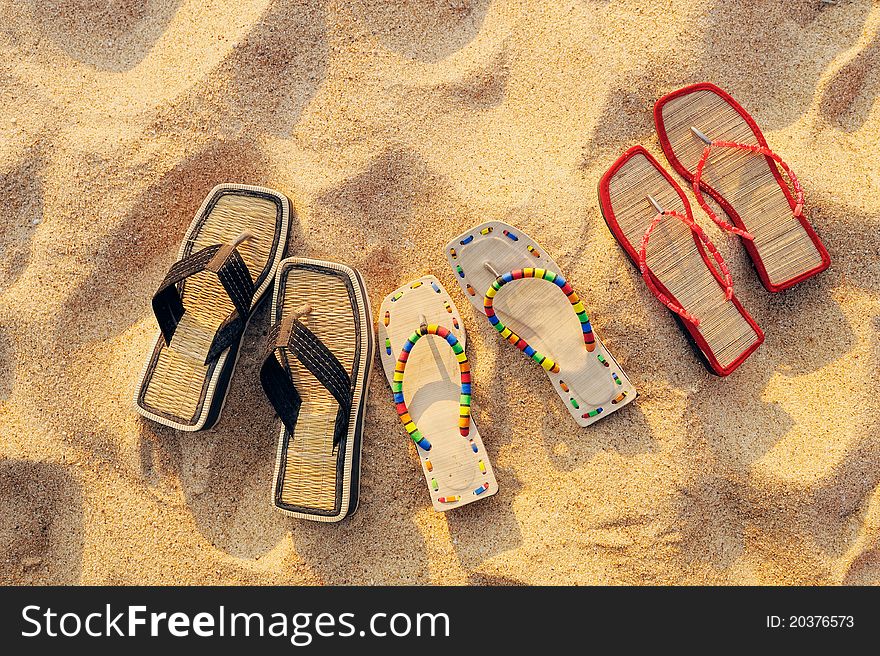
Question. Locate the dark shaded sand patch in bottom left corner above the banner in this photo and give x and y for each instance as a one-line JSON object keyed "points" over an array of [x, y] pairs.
{"points": [[41, 527]]}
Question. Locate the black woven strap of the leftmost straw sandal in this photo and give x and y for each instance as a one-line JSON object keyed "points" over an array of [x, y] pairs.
{"points": [[231, 270]]}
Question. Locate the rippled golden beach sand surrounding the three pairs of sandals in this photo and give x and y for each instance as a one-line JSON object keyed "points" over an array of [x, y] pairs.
{"points": [[394, 126]]}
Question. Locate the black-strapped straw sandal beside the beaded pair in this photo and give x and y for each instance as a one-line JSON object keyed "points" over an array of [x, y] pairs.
{"points": [[318, 360]]}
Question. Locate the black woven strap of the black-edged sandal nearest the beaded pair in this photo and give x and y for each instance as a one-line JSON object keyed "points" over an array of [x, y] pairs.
{"points": [[291, 336]]}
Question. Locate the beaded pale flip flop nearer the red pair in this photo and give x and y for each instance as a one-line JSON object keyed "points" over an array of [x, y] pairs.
{"points": [[541, 315]]}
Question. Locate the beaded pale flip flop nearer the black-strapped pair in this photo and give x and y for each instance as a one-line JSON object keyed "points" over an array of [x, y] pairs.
{"points": [[422, 344]]}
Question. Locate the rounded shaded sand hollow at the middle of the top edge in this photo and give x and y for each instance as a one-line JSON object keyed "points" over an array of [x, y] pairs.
{"points": [[422, 29]]}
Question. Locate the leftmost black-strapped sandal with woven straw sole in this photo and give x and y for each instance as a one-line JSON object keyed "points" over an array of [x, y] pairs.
{"points": [[226, 263]]}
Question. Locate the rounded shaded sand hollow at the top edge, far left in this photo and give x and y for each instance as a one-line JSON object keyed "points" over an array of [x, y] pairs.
{"points": [[111, 36]]}
